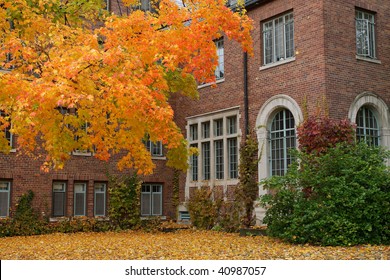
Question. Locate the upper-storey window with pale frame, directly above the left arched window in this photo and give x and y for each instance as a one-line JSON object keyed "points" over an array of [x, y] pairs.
{"points": [[278, 39]]}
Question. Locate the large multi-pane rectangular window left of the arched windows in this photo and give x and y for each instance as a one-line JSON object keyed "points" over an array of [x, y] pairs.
{"points": [[218, 147]]}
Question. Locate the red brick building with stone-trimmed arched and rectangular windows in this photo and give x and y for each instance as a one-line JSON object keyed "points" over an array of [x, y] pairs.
{"points": [[307, 53]]}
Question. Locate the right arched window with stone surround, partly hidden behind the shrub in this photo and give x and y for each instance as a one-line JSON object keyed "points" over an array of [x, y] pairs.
{"points": [[367, 128]]}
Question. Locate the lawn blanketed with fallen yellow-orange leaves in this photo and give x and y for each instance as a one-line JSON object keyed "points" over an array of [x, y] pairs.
{"points": [[185, 244]]}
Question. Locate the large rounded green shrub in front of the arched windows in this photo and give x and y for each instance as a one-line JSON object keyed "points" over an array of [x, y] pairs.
{"points": [[341, 197]]}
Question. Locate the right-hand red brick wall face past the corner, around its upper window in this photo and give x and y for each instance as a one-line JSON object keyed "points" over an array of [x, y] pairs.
{"points": [[346, 76]]}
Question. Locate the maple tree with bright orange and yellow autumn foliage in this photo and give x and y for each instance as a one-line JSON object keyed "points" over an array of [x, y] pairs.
{"points": [[83, 79]]}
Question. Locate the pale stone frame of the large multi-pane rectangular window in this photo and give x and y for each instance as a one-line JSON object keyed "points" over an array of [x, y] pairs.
{"points": [[216, 166]]}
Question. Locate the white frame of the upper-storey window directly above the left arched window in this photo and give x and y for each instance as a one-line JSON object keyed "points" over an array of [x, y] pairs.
{"points": [[269, 29]]}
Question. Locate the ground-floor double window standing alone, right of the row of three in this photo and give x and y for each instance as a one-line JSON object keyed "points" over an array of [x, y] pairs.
{"points": [[151, 200]]}
